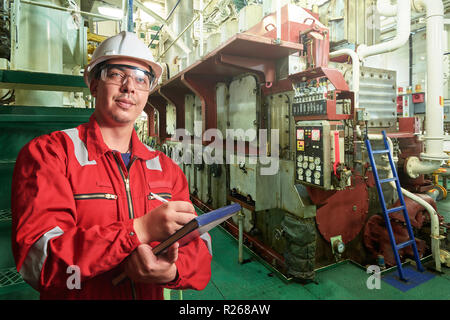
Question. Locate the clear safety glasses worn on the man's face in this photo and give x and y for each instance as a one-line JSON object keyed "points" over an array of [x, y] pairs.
{"points": [[118, 74]]}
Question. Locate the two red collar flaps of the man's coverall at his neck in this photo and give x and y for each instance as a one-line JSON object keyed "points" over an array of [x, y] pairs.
{"points": [[96, 146]]}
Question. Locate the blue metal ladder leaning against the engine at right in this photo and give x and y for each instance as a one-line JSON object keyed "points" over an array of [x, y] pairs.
{"points": [[386, 212]]}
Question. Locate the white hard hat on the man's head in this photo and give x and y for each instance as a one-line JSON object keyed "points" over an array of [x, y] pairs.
{"points": [[123, 45]]}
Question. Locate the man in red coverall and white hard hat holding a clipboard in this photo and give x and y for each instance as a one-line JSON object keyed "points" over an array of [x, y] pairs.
{"points": [[82, 198]]}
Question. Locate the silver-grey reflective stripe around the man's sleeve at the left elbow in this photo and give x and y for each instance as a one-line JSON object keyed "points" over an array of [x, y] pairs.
{"points": [[32, 265]]}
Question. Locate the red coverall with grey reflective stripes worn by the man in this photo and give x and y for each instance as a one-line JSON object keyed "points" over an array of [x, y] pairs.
{"points": [[73, 202]]}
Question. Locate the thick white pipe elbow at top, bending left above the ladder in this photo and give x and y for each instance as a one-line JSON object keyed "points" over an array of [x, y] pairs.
{"points": [[402, 36]]}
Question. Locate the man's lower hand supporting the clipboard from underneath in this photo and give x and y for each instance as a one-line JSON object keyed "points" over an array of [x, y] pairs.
{"points": [[143, 266]]}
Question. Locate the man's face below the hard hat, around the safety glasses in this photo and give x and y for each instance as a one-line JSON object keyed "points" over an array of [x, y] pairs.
{"points": [[118, 105]]}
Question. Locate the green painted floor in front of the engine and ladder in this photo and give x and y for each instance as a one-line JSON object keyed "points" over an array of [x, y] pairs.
{"points": [[254, 281]]}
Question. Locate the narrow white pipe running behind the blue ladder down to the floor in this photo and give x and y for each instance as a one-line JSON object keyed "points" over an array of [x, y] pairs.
{"points": [[433, 214]]}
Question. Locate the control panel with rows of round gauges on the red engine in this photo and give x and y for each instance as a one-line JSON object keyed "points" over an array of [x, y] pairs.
{"points": [[315, 152]]}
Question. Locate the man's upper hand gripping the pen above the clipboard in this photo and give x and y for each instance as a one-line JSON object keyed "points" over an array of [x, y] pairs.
{"points": [[163, 221]]}
